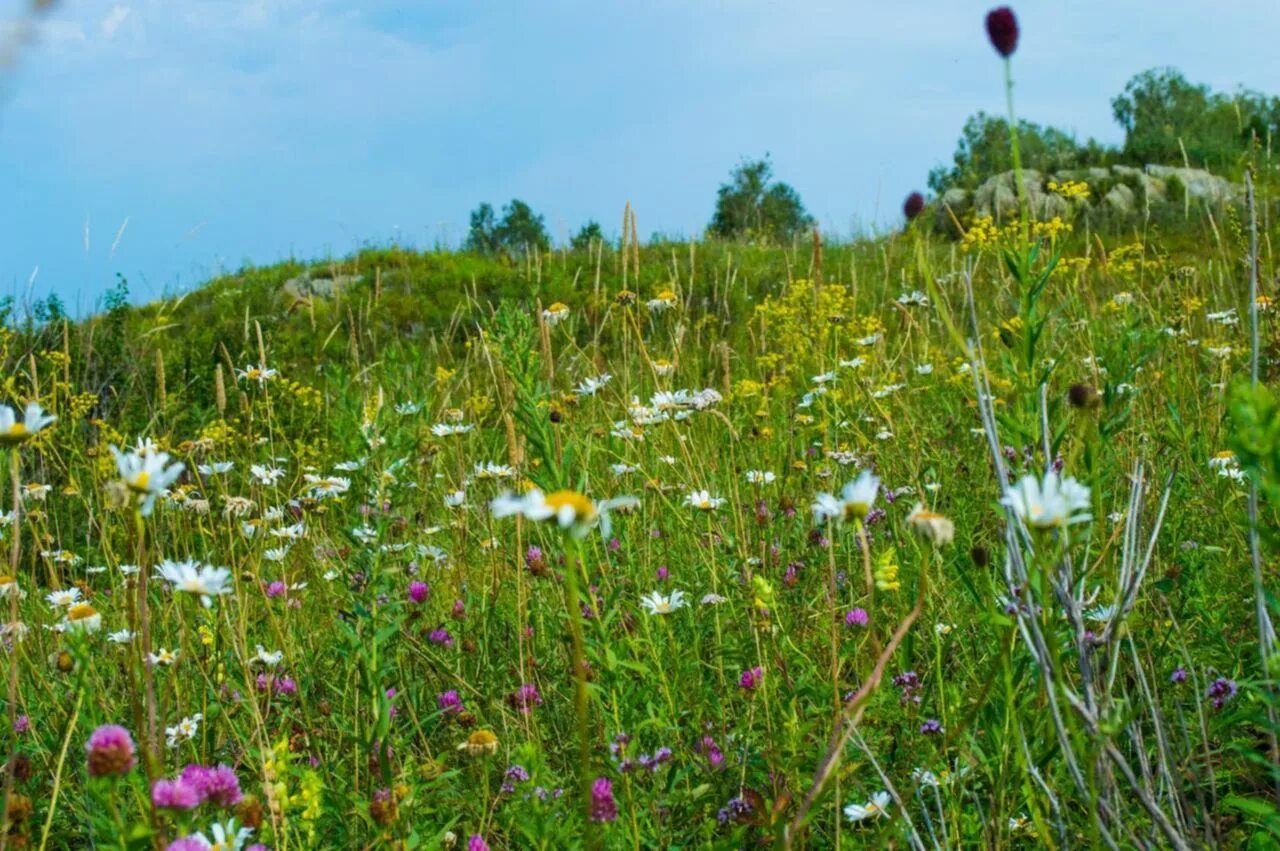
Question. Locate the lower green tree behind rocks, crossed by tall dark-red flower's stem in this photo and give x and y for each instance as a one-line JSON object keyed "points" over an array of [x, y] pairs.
{"points": [[984, 150]]}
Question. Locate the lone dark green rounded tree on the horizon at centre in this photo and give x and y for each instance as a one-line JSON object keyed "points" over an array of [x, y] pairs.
{"points": [[752, 207]]}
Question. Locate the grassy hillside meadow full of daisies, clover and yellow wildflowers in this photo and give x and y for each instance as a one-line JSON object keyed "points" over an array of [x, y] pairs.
{"points": [[908, 542]]}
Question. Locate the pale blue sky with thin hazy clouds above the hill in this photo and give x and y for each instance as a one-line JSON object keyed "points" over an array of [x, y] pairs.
{"points": [[170, 141]]}
